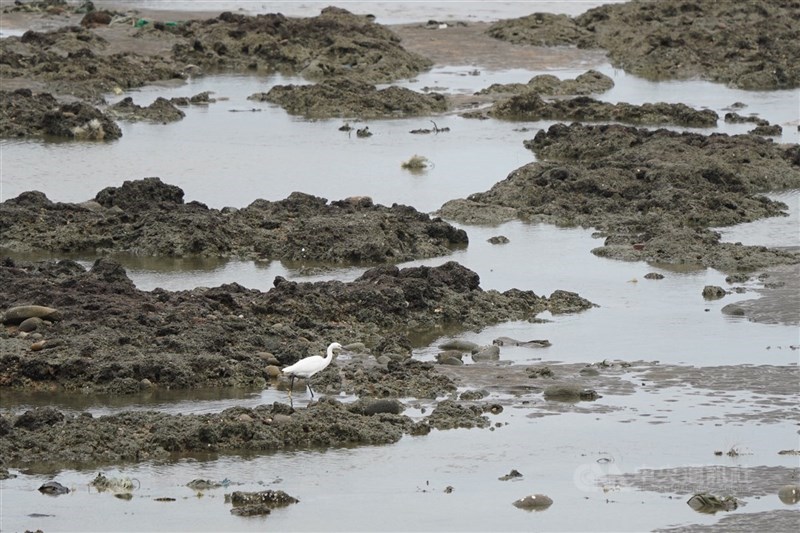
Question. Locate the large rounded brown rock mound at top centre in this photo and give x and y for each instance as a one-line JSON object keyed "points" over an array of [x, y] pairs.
{"points": [[335, 43]]}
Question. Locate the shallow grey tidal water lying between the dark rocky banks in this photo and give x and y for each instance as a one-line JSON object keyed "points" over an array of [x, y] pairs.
{"points": [[235, 151]]}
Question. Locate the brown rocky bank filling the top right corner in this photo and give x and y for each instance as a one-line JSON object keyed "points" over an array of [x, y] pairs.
{"points": [[746, 44]]}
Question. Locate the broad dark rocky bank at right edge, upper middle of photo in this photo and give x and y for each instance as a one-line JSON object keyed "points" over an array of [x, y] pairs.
{"points": [[653, 194]]}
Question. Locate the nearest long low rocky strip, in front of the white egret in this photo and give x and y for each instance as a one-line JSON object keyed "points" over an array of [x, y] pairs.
{"points": [[149, 435]]}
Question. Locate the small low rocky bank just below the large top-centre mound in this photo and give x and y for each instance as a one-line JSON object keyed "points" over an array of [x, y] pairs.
{"points": [[349, 98]]}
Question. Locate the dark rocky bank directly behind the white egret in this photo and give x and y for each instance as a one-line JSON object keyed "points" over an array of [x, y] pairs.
{"points": [[108, 336]]}
